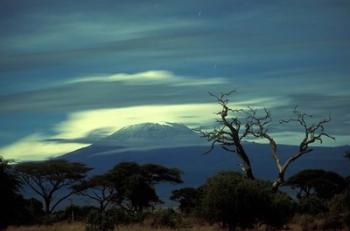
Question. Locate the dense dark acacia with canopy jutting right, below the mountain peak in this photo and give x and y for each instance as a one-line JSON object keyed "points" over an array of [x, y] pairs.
{"points": [[134, 183]]}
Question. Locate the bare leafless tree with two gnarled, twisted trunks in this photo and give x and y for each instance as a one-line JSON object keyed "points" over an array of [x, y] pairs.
{"points": [[238, 124]]}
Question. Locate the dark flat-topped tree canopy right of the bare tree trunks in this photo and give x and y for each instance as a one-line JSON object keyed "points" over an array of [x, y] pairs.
{"points": [[323, 184]]}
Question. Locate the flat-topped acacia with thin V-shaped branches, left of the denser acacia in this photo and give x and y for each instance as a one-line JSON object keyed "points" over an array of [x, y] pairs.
{"points": [[52, 180]]}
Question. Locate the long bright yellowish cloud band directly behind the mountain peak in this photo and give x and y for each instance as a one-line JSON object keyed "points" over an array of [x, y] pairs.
{"points": [[79, 127]]}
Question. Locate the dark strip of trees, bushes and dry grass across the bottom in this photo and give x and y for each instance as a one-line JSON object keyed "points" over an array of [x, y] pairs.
{"points": [[126, 199]]}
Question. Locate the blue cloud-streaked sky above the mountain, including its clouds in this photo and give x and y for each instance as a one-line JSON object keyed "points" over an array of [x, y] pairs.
{"points": [[63, 59]]}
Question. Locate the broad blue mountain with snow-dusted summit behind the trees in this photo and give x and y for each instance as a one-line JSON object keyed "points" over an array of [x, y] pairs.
{"points": [[175, 145]]}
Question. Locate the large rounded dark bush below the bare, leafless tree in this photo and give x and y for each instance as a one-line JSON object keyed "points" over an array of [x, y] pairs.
{"points": [[236, 201]]}
